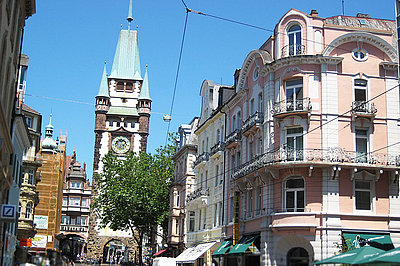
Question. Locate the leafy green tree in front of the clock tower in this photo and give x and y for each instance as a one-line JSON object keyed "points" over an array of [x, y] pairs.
{"points": [[133, 192]]}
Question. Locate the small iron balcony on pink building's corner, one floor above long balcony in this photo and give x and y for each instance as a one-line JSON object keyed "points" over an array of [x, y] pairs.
{"points": [[285, 108]]}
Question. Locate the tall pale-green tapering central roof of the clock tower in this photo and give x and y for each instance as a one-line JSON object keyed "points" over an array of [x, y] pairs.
{"points": [[126, 64]]}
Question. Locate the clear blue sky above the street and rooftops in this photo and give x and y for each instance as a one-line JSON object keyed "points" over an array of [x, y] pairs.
{"points": [[68, 41]]}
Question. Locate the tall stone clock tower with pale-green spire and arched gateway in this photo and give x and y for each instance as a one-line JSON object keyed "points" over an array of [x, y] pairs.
{"points": [[123, 107]]}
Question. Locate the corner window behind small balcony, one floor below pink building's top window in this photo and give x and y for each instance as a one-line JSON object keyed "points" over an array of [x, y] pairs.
{"points": [[294, 95]]}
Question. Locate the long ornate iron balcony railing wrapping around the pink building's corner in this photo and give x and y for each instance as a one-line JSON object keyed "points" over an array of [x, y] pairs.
{"points": [[329, 156]]}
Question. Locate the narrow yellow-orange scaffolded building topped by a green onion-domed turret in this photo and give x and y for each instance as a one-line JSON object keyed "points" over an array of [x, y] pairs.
{"points": [[48, 212]]}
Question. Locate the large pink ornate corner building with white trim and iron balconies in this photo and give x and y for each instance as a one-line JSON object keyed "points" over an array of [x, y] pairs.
{"points": [[312, 152]]}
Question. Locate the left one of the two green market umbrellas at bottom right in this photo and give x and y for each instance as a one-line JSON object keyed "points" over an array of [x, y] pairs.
{"points": [[355, 256]]}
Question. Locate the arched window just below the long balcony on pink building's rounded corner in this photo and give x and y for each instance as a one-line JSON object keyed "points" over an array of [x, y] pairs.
{"points": [[294, 195]]}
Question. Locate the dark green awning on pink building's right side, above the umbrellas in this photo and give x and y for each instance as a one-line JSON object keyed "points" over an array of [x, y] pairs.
{"points": [[356, 240]]}
